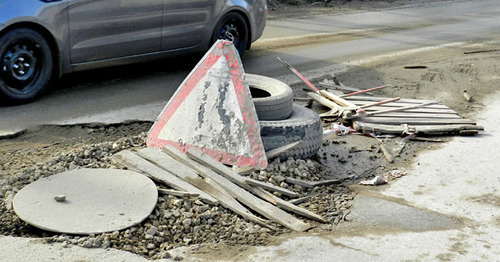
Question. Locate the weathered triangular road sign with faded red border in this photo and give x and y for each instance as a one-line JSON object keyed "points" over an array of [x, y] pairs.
{"points": [[213, 110]]}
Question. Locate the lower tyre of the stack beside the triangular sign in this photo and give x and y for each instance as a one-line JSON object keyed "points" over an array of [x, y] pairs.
{"points": [[304, 124]]}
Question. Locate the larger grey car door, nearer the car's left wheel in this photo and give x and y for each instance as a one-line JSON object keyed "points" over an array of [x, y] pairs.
{"points": [[103, 29]]}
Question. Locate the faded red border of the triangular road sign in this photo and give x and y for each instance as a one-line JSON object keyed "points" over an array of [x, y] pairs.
{"points": [[220, 50]]}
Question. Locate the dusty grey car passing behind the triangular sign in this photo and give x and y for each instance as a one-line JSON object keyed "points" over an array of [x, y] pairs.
{"points": [[41, 40]]}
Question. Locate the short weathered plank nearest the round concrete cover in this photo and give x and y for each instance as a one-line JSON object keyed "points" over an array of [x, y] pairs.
{"points": [[136, 163]]}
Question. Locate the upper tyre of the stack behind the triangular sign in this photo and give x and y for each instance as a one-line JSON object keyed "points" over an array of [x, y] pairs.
{"points": [[272, 98]]}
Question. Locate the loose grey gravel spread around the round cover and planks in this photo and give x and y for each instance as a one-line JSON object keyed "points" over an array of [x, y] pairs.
{"points": [[175, 221]]}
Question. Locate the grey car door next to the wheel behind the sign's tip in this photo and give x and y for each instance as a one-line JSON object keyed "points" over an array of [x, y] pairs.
{"points": [[186, 22]]}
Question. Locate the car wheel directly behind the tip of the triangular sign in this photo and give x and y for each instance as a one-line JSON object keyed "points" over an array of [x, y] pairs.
{"points": [[233, 27]]}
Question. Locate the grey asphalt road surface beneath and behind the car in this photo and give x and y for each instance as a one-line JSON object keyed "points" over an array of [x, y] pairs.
{"points": [[139, 92]]}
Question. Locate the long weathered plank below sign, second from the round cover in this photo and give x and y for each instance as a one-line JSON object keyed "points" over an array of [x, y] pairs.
{"points": [[226, 200]]}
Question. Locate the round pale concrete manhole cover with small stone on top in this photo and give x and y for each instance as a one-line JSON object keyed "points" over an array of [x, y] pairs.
{"points": [[87, 201]]}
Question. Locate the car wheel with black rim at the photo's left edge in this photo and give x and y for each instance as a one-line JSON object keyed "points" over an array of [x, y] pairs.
{"points": [[25, 65]]}
